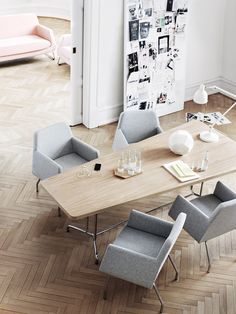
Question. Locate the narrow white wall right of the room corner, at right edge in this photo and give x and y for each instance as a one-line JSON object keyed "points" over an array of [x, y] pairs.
{"points": [[229, 47]]}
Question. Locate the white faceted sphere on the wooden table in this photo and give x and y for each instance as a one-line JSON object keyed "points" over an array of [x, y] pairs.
{"points": [[181, 142]]}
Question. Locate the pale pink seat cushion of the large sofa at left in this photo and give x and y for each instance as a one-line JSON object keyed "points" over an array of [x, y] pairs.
{"points": [[22, 44]]}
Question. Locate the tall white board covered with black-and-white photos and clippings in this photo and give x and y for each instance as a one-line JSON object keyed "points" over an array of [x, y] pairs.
{"points": [[154, 67]]}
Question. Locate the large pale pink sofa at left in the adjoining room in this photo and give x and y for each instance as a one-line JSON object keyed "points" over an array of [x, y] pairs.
{"points": [[22, 36]]}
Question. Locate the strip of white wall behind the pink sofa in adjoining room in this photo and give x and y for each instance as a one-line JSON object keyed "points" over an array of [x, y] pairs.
{"points": [[53, 8]]}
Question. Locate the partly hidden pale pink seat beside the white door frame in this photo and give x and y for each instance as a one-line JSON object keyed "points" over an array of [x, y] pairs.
{"points": [[64, 49]]}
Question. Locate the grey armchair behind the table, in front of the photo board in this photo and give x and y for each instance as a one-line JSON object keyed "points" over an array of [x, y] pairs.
{"points": [[135, 126]]}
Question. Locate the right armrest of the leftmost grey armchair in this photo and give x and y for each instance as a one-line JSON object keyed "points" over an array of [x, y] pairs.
{"points": [[84, 150]]}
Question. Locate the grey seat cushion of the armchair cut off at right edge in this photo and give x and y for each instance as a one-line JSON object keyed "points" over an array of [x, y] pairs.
{"points": [[207, 203]]}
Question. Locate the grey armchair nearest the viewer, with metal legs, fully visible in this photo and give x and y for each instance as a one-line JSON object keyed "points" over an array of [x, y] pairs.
{"points": [[141, 249]]}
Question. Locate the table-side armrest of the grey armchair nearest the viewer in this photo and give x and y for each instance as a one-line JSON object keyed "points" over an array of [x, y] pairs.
{"points": [[150, 224]]}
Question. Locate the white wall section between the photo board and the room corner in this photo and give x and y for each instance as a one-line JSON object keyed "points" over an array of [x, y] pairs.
{"points": [[204, 43]]}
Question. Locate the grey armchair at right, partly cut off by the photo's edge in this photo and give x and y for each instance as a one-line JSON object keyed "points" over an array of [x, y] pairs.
{"points": [[208, 216]]}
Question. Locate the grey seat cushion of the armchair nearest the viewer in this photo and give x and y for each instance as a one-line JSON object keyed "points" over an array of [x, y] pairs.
{"points": [[140, 241]]}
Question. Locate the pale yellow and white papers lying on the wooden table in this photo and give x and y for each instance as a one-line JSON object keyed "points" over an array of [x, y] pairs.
{"points": [[181, 171]]}
